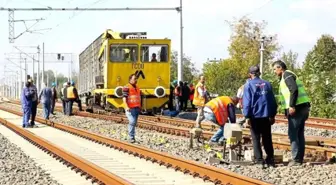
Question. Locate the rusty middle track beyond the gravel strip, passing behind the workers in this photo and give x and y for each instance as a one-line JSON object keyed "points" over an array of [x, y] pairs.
{"points": [[180, 127]]}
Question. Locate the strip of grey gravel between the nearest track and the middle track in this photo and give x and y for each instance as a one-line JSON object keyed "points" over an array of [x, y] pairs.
{"points": [[178, 146]]}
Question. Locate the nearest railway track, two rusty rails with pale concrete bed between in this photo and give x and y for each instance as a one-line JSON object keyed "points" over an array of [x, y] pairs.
{"points": [[124, 164]]}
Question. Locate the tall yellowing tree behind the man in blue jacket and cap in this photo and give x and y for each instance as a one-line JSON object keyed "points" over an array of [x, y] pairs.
{"points": [[228, 75]]}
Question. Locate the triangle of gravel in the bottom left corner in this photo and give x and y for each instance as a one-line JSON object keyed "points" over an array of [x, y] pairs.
{"points": [[16, 168]]}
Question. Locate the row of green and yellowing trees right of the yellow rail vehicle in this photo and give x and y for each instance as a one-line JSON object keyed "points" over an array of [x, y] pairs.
{"points": [[317, 71]]}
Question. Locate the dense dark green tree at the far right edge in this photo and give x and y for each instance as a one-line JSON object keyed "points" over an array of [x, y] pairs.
{"points": [[319, 75]]}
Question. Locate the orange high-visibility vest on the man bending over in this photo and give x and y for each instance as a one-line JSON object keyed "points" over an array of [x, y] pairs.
{"points": [[219, 108]]}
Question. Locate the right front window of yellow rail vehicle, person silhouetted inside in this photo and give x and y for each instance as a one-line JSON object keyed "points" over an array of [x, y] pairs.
{"points": [[154, 53]]}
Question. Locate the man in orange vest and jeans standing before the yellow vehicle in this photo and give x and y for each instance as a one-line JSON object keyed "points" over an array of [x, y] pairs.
{"points": [[132, 104]]}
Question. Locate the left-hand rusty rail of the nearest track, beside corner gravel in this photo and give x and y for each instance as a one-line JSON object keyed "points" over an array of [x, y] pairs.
{"points": [[96, 173]]}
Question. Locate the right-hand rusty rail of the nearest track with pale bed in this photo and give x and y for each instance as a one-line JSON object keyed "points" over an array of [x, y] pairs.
{"points": [[216, 175]]}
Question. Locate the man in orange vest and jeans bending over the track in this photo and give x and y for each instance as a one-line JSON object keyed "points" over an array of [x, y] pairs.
{"points": [[218, 111]]}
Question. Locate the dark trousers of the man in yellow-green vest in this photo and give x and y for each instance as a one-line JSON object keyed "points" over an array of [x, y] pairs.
{"points": [[296, 125]]}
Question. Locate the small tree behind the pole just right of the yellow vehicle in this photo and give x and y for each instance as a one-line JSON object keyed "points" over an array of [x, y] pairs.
{"points": [[189, 70]]}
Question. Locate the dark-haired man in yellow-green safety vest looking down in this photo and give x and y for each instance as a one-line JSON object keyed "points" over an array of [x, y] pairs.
{"points": [[296, 103]]}
